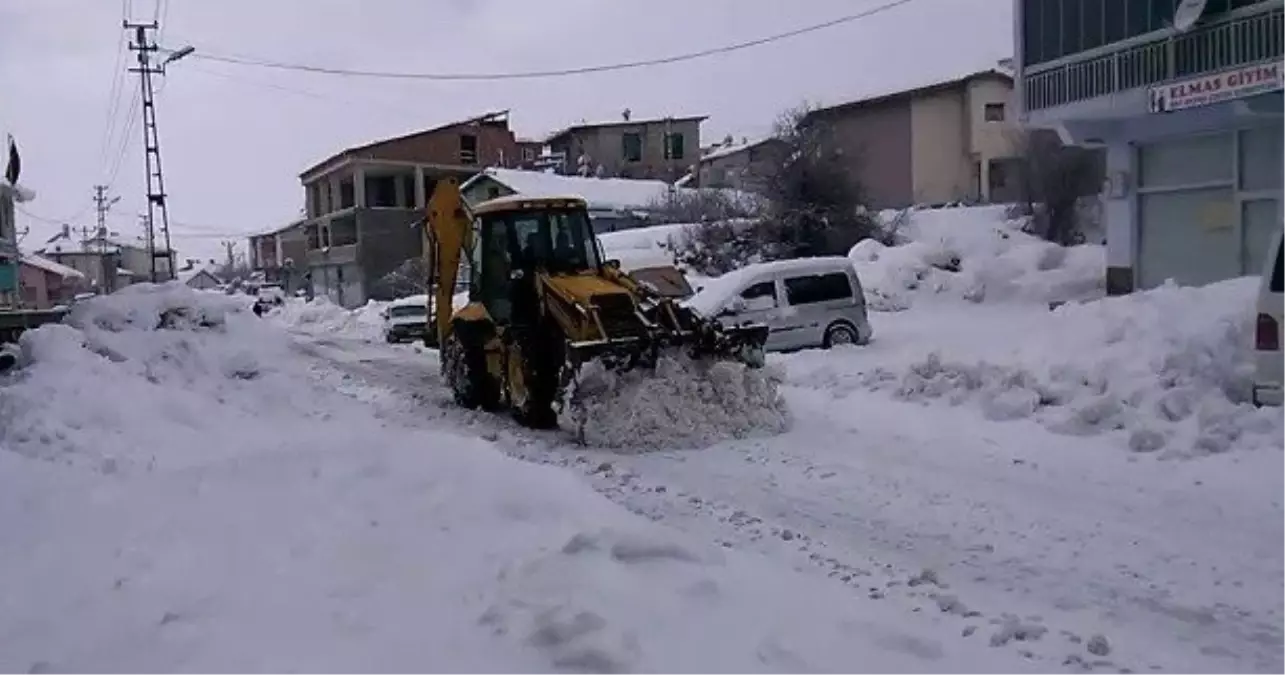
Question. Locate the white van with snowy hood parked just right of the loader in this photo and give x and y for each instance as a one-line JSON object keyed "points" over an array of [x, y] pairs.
{"points": [[805, 303]]}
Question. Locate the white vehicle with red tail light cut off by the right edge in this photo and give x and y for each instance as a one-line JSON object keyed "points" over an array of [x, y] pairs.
{"points": [[1269, 358]]}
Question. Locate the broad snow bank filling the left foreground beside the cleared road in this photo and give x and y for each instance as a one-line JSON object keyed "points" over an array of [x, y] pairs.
{"points": [[182, 490]]}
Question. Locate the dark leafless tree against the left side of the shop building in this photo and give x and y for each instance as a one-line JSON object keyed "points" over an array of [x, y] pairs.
{"points": [[1054, 179]]}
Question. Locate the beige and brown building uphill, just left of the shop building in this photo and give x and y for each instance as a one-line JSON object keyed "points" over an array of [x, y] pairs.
{"points": [[946, 142]]}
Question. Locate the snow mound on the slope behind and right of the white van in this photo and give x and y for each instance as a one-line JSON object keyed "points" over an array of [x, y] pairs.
{"points": [[975, 254]]}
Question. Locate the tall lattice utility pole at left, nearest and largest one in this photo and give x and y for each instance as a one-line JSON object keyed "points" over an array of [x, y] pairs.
{"points": [[146, 47]]}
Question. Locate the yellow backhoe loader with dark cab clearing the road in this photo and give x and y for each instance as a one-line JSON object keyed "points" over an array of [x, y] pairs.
{"points": [[543, 301]]}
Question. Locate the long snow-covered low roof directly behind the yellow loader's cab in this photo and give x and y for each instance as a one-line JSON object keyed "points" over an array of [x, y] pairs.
{"points": [[599, 193]]}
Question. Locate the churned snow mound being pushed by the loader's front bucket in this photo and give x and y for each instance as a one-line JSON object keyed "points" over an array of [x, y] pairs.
{"points": [[682, 404]]}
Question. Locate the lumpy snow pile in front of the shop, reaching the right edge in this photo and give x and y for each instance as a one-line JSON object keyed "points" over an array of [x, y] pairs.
{"points": [[1170, 368]]}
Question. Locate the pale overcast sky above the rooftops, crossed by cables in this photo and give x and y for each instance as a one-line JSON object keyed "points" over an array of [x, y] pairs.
{"points": [[235, 139]]}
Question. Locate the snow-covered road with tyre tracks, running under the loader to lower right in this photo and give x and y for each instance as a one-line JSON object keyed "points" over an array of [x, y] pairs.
{"points": [[1025, 539]]}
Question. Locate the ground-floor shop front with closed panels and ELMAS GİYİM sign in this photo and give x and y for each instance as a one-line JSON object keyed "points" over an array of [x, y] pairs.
{"points": [[1194, 179]]}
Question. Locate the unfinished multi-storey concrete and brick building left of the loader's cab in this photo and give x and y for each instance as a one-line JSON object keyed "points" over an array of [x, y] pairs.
{"points": [[363, 204]]}
